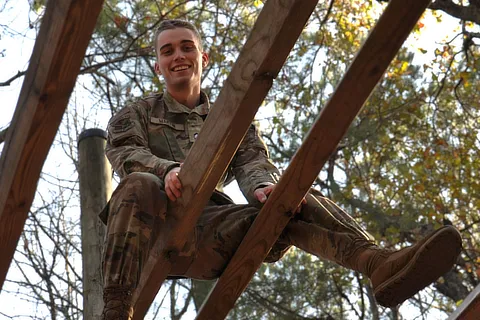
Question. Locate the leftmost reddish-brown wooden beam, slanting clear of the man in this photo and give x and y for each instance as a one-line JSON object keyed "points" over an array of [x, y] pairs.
{"points": [[66, 29]]}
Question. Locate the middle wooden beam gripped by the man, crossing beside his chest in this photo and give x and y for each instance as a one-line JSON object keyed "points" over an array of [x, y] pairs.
{"points": [[271, 40]]}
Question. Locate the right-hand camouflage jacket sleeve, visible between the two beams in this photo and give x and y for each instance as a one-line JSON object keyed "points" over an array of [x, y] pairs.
{"points": [[251, 165]]}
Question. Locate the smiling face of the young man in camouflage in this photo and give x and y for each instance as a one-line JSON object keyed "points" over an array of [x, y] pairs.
{"points": [[179, 59]]}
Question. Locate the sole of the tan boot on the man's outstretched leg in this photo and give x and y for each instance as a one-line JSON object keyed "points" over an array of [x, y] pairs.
{"points": [[420, 272]]}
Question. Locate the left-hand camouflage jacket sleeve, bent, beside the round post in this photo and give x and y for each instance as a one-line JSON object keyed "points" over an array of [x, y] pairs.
{"points": [[127, 144]]}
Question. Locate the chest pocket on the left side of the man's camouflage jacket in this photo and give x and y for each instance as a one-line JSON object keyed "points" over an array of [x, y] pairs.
{"points": [[163, 139]]}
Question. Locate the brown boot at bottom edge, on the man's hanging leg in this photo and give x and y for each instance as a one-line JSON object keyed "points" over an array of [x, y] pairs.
{"points": [[117, 303]]}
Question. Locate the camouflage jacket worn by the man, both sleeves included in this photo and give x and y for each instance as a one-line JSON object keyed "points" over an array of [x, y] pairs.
{"points": [[156, 133]]}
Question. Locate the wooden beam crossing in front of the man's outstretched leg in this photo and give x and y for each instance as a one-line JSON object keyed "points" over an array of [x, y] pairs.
{"points": [[361, 78]]}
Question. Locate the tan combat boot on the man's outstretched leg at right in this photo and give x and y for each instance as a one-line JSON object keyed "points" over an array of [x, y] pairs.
{"points": [[397, 276]]}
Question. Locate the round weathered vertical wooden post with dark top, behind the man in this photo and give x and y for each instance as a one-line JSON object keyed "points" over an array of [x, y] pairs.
{"points": [[95, 190]]}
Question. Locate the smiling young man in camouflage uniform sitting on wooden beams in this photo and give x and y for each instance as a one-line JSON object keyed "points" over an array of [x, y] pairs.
{"points": [[148, 141]]}
